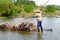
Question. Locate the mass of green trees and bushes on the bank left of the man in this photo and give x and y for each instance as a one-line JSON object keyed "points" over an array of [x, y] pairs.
{"points": [[12, 7]]}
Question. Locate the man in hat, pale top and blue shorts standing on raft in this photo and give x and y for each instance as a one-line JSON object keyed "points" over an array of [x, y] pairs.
{"points": [[39, 20]]}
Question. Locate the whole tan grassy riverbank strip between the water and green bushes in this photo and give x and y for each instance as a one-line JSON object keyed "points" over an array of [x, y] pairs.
{"points": [[28, 15]]}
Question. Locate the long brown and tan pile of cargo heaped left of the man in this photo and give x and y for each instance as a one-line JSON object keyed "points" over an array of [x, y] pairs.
{"points": [[24, 26]]}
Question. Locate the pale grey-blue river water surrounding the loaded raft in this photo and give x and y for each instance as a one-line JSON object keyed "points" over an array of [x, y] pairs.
{"points": [[48, 23]]}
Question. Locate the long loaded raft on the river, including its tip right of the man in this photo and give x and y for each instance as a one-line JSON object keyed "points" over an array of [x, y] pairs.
{"points": [[27, 27]]}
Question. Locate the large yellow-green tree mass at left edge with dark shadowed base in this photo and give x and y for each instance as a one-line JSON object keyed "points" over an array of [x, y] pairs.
{"points": [[7, 8]]}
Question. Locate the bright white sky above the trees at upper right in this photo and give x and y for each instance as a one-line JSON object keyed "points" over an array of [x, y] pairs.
{"points": [[41, 2]]}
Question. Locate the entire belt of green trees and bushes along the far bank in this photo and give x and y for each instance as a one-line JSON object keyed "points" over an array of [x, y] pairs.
{"points": [[22, 7]]}
